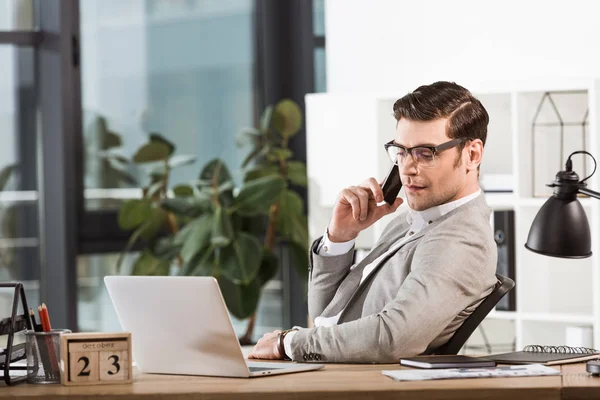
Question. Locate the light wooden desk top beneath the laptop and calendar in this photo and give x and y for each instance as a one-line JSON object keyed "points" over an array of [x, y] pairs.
{"points": [[333, 382]]}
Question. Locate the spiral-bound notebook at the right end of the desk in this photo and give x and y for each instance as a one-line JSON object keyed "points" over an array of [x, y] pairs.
{"points": [[547, 355]]}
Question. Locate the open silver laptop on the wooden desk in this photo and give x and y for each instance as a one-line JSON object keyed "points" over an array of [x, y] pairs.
{"points": [[180, 325]]}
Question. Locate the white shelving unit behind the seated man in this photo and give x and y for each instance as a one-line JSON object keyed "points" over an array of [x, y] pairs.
{"points": [[551, 293]]}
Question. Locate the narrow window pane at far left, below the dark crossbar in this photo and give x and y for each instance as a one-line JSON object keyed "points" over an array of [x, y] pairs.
{"points": [[19, 232]]}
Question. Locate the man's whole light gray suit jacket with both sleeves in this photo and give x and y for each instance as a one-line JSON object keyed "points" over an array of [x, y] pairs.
{"points": [[412, 302]]}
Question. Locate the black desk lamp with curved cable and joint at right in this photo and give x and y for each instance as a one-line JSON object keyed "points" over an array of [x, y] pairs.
{"points": [[560, 228]]}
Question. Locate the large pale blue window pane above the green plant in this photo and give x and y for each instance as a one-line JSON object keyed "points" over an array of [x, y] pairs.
{"points": [[181, 69]]}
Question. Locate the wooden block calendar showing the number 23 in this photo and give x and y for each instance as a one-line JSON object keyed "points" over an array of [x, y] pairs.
{"points": [[95, 358]]}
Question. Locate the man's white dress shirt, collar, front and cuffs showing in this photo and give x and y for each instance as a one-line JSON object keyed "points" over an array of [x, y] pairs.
{"points": [[417, 220]]}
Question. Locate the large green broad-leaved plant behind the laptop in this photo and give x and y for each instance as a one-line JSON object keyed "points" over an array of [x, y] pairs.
{"points": [[209, 227]]}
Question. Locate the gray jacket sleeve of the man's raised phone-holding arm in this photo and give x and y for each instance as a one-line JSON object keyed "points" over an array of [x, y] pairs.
{"points": [[325, 276]]}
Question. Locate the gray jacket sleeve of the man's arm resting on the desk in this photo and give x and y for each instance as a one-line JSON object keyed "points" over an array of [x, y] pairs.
{"points": [[446, 277]]}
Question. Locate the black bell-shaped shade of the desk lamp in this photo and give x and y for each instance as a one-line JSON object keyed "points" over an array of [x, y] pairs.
{"points": [[560, 229]]}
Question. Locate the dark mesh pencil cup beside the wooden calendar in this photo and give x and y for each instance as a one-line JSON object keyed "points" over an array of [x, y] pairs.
{"points": [[43, 356]]}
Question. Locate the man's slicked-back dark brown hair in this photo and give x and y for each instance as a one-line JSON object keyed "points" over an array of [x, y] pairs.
{"points": [[467, 118]]}
